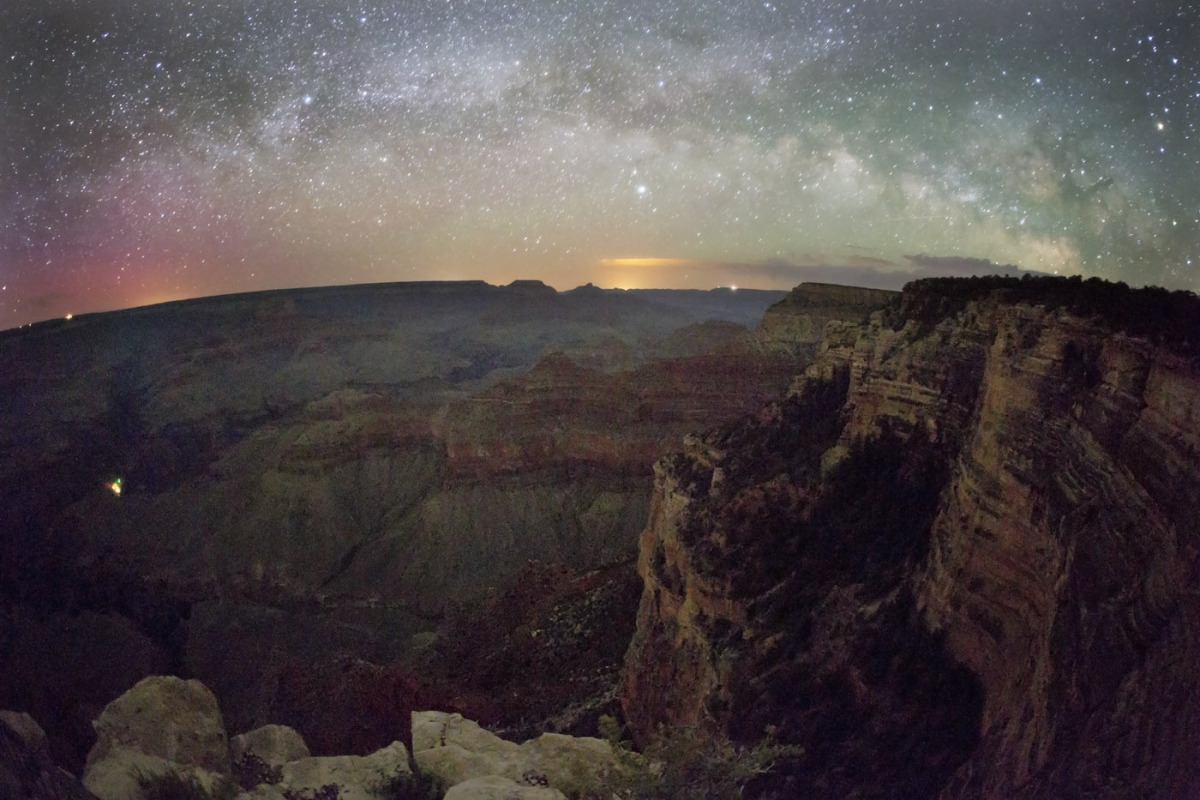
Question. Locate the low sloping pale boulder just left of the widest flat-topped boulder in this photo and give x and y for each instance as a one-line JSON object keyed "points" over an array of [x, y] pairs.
{"points": [[356, 778]]}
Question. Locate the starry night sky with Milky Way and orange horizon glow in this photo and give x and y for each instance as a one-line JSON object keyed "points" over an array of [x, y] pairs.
{"points": [[154, 151]]}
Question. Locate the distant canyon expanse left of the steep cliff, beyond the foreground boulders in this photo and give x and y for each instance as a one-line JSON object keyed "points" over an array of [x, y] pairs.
{"points": [[317, 478]]}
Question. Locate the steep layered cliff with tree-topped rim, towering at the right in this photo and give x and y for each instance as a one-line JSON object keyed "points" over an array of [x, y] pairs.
{"points": [[1015, 616]]}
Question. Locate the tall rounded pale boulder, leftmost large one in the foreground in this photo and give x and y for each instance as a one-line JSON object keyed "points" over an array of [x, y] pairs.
{"points": [[167, 718]]}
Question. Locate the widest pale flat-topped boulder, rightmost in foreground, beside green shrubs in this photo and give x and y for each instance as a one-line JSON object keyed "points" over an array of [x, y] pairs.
{"points": [[458, 751]]}
